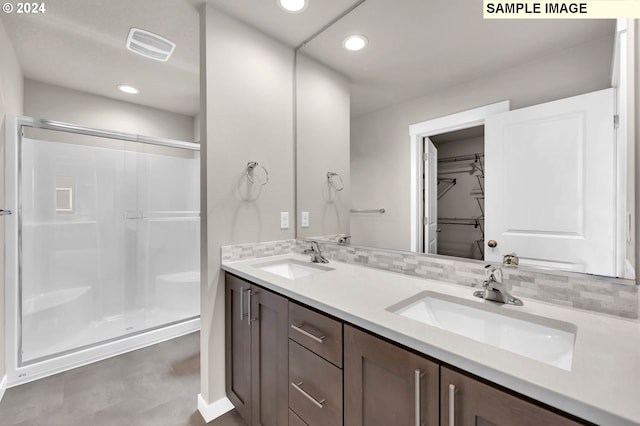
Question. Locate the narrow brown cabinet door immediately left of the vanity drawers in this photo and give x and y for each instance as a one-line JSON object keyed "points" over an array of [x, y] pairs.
{"points": [[270, 347]]}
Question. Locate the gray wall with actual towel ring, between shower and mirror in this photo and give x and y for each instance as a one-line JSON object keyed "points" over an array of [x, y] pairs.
{"points": [[247, 115]]}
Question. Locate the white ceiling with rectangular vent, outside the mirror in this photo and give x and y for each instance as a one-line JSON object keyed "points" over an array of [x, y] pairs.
{"points": [[80, 44]]}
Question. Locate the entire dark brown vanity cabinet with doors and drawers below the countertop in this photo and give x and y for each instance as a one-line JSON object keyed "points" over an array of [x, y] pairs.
{"points": [[287, 364]]}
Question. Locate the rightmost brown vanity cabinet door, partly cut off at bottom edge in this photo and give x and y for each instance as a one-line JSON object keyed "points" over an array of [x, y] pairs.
{"points": [[466, 401]]}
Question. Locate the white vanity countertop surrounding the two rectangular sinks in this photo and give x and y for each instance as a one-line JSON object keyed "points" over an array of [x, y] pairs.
{"points": [[603, 385]]}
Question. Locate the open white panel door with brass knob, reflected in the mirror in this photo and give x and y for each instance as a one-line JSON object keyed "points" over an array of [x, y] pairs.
{"points": [[550, 184]]}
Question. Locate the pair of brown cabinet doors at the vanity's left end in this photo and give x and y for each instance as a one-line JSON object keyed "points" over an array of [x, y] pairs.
{"points": [[257, 352]]}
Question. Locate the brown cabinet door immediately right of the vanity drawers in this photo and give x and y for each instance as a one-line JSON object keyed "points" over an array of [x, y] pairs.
{"points": [[387, 385]]}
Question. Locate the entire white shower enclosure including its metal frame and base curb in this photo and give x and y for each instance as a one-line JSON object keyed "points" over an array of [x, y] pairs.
{"points": [[102, 247]]}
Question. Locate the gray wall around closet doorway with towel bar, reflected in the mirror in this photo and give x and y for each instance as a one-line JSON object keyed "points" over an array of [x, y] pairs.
{"points": [[380, 155]]}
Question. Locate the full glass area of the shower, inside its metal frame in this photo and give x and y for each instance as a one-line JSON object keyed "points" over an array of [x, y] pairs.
{"points": [[109, 242]]}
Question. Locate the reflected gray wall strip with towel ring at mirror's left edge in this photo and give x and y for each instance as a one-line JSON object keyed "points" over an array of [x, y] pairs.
{"points": [[323, 117]]}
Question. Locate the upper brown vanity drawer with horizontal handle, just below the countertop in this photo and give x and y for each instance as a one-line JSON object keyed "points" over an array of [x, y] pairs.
{"points": [[316, 332]]}
